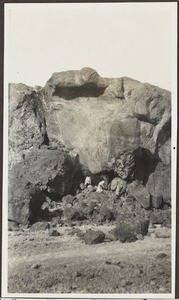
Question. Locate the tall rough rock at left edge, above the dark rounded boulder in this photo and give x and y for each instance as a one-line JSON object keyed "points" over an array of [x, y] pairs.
{"points": [[27, 125]]}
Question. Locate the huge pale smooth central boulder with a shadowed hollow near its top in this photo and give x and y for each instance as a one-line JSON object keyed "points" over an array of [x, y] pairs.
{"points": [[113, 120]]}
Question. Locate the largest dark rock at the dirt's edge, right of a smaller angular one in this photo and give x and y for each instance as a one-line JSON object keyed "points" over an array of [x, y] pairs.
{"points": [[127, 230]]}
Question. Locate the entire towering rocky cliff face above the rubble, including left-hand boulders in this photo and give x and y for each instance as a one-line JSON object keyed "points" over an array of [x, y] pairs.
{"points": [[117, 127]]}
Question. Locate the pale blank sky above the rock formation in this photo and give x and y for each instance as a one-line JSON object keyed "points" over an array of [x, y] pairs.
{"points": [[116, 39]]}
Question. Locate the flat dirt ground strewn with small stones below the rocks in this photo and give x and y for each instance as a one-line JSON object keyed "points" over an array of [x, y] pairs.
{"points": [[39, 263]]}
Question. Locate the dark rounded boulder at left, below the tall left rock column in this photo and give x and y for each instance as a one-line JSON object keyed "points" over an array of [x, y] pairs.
{"points": [[54, 171]]}
